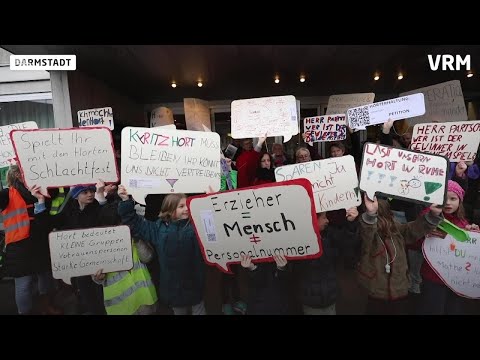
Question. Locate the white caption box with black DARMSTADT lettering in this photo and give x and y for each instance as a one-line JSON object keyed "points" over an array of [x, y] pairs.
{"points": [[43, 62]]}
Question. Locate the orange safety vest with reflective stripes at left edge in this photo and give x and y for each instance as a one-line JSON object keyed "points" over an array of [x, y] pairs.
{"points": [[16, 220]]}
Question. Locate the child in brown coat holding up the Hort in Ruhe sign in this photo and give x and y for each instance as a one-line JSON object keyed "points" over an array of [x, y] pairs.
{"points": [[383, 268]]}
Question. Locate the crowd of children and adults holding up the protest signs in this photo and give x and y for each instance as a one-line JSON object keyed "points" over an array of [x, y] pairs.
{"points": [[381, 241]]}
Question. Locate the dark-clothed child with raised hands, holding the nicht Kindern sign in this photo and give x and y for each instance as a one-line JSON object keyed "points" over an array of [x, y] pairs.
{"points": [[318, 279]]}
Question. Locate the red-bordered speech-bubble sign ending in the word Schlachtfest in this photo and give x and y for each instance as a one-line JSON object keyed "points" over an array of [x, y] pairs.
{"points": [[65, 157]]}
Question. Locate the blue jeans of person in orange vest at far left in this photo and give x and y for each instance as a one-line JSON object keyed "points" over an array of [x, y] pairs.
{"points": [[24, 291]]}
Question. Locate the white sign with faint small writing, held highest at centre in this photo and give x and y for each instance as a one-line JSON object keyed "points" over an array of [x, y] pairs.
{"points": [[275, 116]]}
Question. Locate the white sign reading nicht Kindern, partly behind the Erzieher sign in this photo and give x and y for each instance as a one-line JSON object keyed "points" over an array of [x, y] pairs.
{"points": [[334, 181]]}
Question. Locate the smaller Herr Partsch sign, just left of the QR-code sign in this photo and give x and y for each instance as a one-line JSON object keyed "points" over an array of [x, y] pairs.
{"points": [[325, 128]]}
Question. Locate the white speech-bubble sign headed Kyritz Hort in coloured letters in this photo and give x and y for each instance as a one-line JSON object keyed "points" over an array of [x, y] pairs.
{"points": [[160, 161]]}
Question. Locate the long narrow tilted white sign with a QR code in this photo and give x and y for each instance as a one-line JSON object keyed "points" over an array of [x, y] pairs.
{"points": [[378, 113]]}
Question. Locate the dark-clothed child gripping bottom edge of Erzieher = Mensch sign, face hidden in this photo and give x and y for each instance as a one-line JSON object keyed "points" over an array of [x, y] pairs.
{"points": [[267, 286]]}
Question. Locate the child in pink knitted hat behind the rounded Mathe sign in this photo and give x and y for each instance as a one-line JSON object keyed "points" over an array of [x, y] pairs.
{"points": [[436, 298]]}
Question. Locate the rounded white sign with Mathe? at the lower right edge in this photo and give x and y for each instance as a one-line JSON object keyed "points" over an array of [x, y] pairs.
{"points": [[456, 263]]}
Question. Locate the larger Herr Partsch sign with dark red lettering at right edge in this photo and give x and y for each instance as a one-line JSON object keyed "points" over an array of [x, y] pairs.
{"points": [[457, 141]]}
